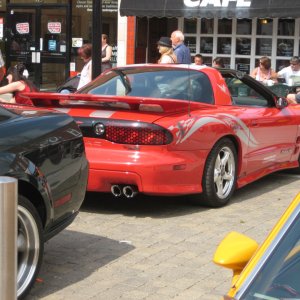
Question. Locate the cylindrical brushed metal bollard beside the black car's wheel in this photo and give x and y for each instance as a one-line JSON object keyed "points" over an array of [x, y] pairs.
{"points": [[8, 237]]}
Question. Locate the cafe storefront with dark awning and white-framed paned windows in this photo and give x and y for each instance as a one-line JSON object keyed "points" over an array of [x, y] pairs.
{"points": [[240, 31]]}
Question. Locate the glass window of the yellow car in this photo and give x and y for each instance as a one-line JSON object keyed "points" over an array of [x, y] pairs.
{"points": [[279, 278]]}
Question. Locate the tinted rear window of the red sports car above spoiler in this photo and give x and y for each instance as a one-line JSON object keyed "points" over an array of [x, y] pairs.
{"points": [[183, 84]]}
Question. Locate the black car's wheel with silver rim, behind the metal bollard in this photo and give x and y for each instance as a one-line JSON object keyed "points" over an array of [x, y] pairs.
{"points": [[30, 246]]}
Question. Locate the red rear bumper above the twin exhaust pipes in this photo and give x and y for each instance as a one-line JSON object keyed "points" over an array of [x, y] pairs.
{"points": [[151, 170]]}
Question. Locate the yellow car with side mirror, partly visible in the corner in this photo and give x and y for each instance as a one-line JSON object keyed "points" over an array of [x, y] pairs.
{"points": [[271, 271]]}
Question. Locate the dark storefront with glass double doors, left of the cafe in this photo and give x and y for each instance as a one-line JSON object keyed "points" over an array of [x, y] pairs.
{"points": [[45, 35]]}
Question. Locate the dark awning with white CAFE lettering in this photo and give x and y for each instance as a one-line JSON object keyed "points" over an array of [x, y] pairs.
{"points": [[211, 8]]}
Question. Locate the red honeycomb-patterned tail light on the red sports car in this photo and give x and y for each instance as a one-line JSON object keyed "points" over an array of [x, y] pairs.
{"points": [[140, 134]]}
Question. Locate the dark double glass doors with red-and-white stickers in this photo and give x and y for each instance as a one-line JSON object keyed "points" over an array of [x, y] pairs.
{"points": [[39, 35]]}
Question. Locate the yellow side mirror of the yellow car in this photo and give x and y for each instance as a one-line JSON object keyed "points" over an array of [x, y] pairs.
{"points": [[234, 252]]}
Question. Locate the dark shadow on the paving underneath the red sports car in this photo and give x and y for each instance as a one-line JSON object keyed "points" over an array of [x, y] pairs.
{"points": [[167, 207]]}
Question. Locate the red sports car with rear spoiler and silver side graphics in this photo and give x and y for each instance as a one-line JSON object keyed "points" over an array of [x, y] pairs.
{"points": [[180, 129]]}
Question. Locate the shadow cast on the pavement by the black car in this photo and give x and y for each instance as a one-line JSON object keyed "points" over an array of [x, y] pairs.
{"points": [[86, 253]]}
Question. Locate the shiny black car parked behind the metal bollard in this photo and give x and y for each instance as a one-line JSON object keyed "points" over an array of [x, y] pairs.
{"points": [[45, 152]]}
